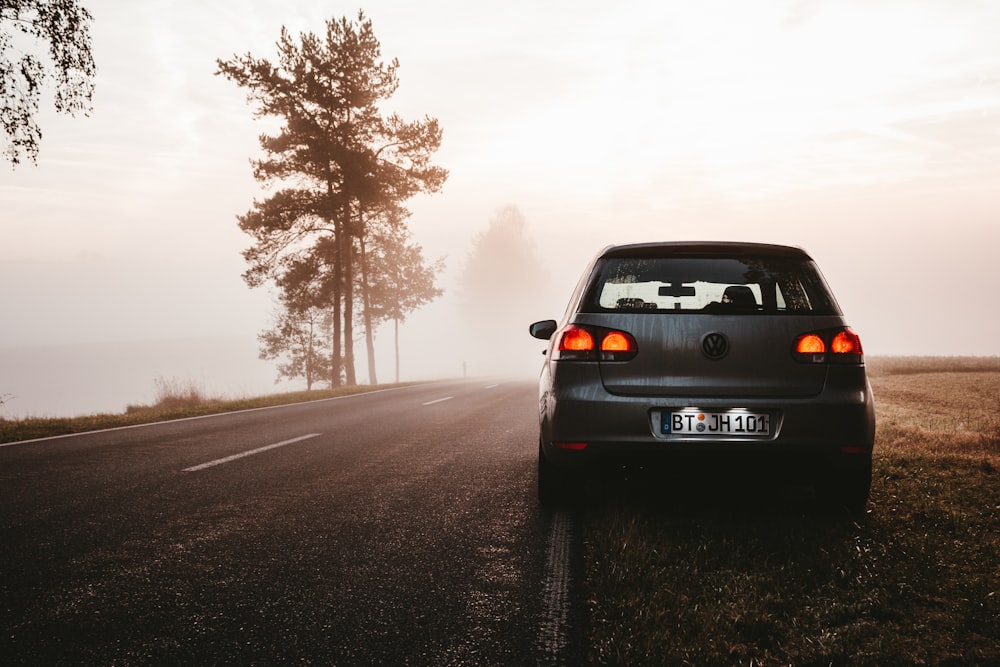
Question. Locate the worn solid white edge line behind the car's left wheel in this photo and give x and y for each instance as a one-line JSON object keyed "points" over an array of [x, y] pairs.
{"points": [[555, 592]]}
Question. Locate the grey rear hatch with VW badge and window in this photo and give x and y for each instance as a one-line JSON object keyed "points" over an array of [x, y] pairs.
{"points": [[710, 320]]}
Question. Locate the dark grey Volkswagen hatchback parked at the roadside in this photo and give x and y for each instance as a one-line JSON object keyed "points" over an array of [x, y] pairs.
{"points": [[707, 358]]}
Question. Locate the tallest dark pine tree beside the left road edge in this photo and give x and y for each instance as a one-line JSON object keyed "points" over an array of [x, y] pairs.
{"points": [[335, 157]]}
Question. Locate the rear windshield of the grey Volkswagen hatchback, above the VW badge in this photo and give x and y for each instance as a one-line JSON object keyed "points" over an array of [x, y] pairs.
{"points": [[772, 285]]}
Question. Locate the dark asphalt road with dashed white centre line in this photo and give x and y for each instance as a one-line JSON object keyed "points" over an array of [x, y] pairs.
{"points": [[390, 528]]}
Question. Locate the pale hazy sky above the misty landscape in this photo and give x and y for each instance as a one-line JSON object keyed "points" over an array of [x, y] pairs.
{"points": [[865, 131]]}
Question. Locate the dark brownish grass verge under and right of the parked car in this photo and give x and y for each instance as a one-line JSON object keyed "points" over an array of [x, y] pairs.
{"points": [[750, 576]]}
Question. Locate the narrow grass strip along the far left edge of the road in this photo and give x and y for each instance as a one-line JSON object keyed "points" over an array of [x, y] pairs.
{"points": [[174, 400]]}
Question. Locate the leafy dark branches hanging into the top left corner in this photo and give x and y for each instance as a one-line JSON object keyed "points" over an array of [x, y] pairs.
{"points": [[26, 26]]}
